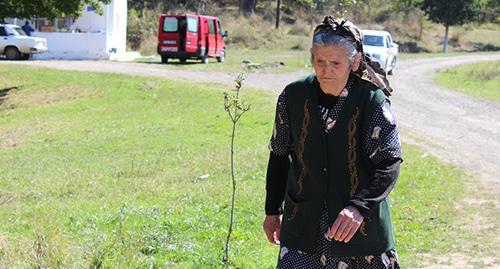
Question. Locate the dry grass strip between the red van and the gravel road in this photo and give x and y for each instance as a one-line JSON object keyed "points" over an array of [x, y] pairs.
{"points": [[267, 61]]}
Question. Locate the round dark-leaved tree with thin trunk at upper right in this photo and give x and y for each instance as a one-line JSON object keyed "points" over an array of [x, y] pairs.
{"points": [[450, 13]]}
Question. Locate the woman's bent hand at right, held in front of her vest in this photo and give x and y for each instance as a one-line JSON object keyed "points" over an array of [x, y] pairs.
{"points": [[346, 225]]}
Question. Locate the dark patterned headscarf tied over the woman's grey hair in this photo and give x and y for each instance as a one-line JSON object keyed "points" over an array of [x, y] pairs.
{"points": [[368, 70]]}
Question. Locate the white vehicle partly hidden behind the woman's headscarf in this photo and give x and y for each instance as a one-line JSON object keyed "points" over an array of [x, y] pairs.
{"points": [[380, 47]]}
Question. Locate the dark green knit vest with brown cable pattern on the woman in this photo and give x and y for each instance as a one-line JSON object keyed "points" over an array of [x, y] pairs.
{"points": [[331, 168]]}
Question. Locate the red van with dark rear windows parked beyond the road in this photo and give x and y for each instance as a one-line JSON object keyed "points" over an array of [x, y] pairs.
{"points": [[190, 37]]}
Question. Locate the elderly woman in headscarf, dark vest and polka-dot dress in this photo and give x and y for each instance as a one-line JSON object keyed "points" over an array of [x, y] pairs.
{"points": [[335, 156]]}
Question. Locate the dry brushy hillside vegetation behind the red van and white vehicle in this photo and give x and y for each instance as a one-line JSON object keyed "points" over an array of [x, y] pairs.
{"points": [[409, 26]]}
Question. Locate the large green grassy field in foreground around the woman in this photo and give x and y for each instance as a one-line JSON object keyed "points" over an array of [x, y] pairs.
{"points": [[113, 171]]}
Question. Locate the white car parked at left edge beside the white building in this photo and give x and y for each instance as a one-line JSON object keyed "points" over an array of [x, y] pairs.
{"points": [[15, 44]]}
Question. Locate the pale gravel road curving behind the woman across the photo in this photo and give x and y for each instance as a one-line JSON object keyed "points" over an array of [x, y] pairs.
{"points": [[458, 129]]}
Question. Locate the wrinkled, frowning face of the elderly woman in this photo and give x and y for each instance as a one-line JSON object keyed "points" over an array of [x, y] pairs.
{"points": [[332, 66]]}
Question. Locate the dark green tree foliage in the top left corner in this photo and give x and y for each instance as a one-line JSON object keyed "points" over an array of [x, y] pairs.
{"points": [[47, 8]]}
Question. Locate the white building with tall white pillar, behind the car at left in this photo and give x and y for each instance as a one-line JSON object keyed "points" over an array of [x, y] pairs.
{"points": [[90, 36]]}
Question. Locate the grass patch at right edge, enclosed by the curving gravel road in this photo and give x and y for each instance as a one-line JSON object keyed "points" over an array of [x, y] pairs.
{"points": [[480, 80]]}
